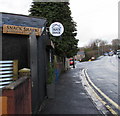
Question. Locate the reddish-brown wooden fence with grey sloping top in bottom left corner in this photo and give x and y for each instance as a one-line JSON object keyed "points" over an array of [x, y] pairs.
{"points": [[17, 97]]}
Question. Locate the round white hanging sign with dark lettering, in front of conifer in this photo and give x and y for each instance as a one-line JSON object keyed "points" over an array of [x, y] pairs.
{"points": [[56, 29]]}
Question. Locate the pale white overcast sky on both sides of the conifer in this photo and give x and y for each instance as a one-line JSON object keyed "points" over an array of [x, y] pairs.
{"points": [[94, 18]]}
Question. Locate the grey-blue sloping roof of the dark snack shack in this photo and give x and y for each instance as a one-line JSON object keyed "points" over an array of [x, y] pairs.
{"points": [[22, 20]]}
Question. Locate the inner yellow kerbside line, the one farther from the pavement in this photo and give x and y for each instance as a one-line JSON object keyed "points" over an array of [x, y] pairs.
{"points": [[105, 96]]}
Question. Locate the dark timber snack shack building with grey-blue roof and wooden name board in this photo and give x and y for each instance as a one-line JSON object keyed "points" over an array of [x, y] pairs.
{"points": [[30, 50]]}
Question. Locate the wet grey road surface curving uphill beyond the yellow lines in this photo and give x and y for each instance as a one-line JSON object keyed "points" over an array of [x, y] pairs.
{"points": [[104, 74]]}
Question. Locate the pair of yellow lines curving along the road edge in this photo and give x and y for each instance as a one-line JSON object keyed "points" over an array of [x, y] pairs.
{"points": [[106, 97]]}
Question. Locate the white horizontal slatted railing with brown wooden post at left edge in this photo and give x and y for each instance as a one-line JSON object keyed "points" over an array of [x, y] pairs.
{"points": [[8, 72]]}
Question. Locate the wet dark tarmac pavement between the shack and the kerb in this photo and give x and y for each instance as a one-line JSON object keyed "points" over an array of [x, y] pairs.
{"points": [[70, 96]]}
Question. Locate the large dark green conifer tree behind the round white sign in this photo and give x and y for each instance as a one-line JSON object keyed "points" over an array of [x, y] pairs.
{"points": [[58, 12]]}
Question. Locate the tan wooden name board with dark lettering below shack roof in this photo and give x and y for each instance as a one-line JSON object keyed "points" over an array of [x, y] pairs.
{"points": [[12, 29]]}
